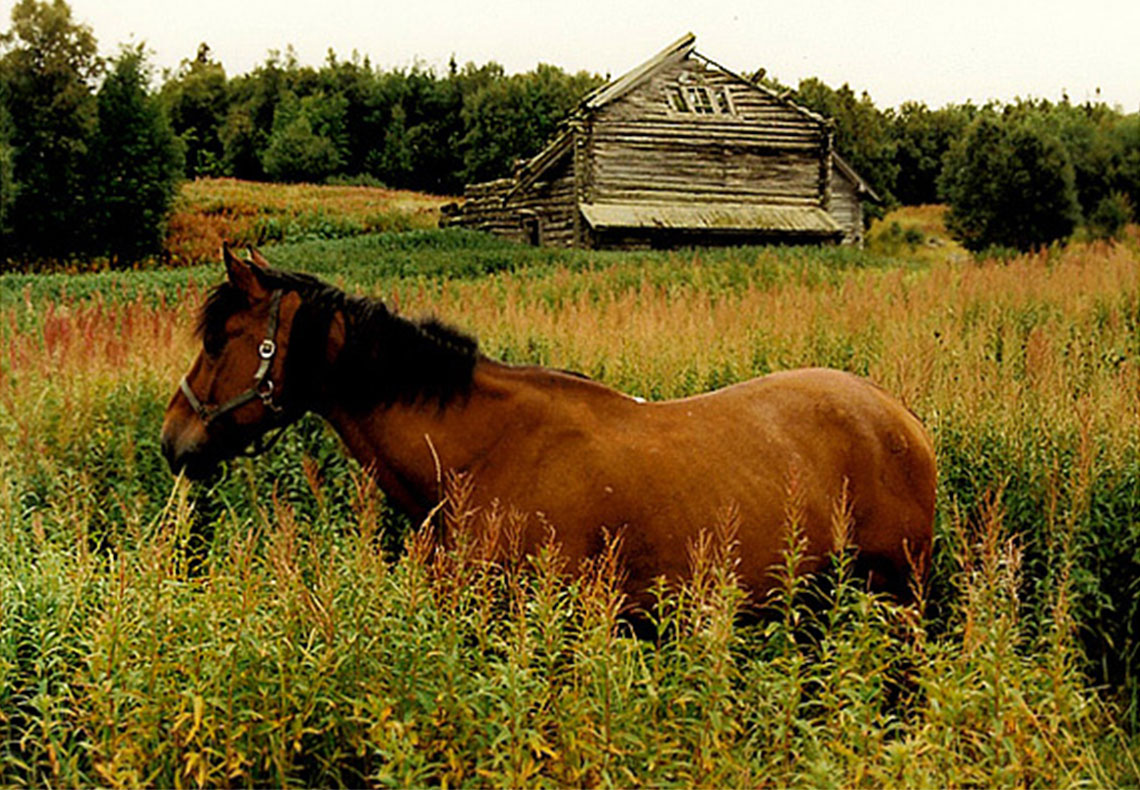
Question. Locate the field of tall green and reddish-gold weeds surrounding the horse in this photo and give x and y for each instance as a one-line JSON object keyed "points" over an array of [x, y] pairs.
{"points": [[281, 626]]}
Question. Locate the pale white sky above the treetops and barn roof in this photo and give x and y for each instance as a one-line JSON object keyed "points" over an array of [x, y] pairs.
{"points": [[939, 53]]}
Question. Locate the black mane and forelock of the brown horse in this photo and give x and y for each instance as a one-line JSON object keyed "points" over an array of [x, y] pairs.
{"points": [[386, 359]]}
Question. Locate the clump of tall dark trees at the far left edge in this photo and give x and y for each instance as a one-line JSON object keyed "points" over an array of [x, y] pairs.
{"points": [[84, 170]]}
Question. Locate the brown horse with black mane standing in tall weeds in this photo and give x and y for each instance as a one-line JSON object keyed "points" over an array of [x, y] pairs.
{"points": [[411, 400]]}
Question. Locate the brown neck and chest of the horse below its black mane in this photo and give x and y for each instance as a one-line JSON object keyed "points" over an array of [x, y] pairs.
{"points": [[410, 447]]}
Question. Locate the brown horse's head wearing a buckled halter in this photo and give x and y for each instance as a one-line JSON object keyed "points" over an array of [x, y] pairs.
{"points": [[234, 393]]}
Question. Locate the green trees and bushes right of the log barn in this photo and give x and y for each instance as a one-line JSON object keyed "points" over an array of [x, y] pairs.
{"points": [[1019, 175]]}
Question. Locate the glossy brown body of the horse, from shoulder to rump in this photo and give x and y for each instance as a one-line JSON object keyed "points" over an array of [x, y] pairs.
{"points": [[788, 446]]}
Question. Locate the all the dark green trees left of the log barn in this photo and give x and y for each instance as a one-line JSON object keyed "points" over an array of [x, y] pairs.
{"points": [[92, 150]]}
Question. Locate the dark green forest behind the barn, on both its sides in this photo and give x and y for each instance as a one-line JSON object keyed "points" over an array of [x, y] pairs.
{"points": [[92, 150]]}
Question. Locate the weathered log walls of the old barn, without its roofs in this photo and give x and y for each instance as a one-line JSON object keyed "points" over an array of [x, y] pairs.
{"points": [[642, 148]]}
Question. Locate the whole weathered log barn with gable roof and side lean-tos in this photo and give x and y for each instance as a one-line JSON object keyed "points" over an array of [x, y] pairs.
{"points": [[679, 151]]}
